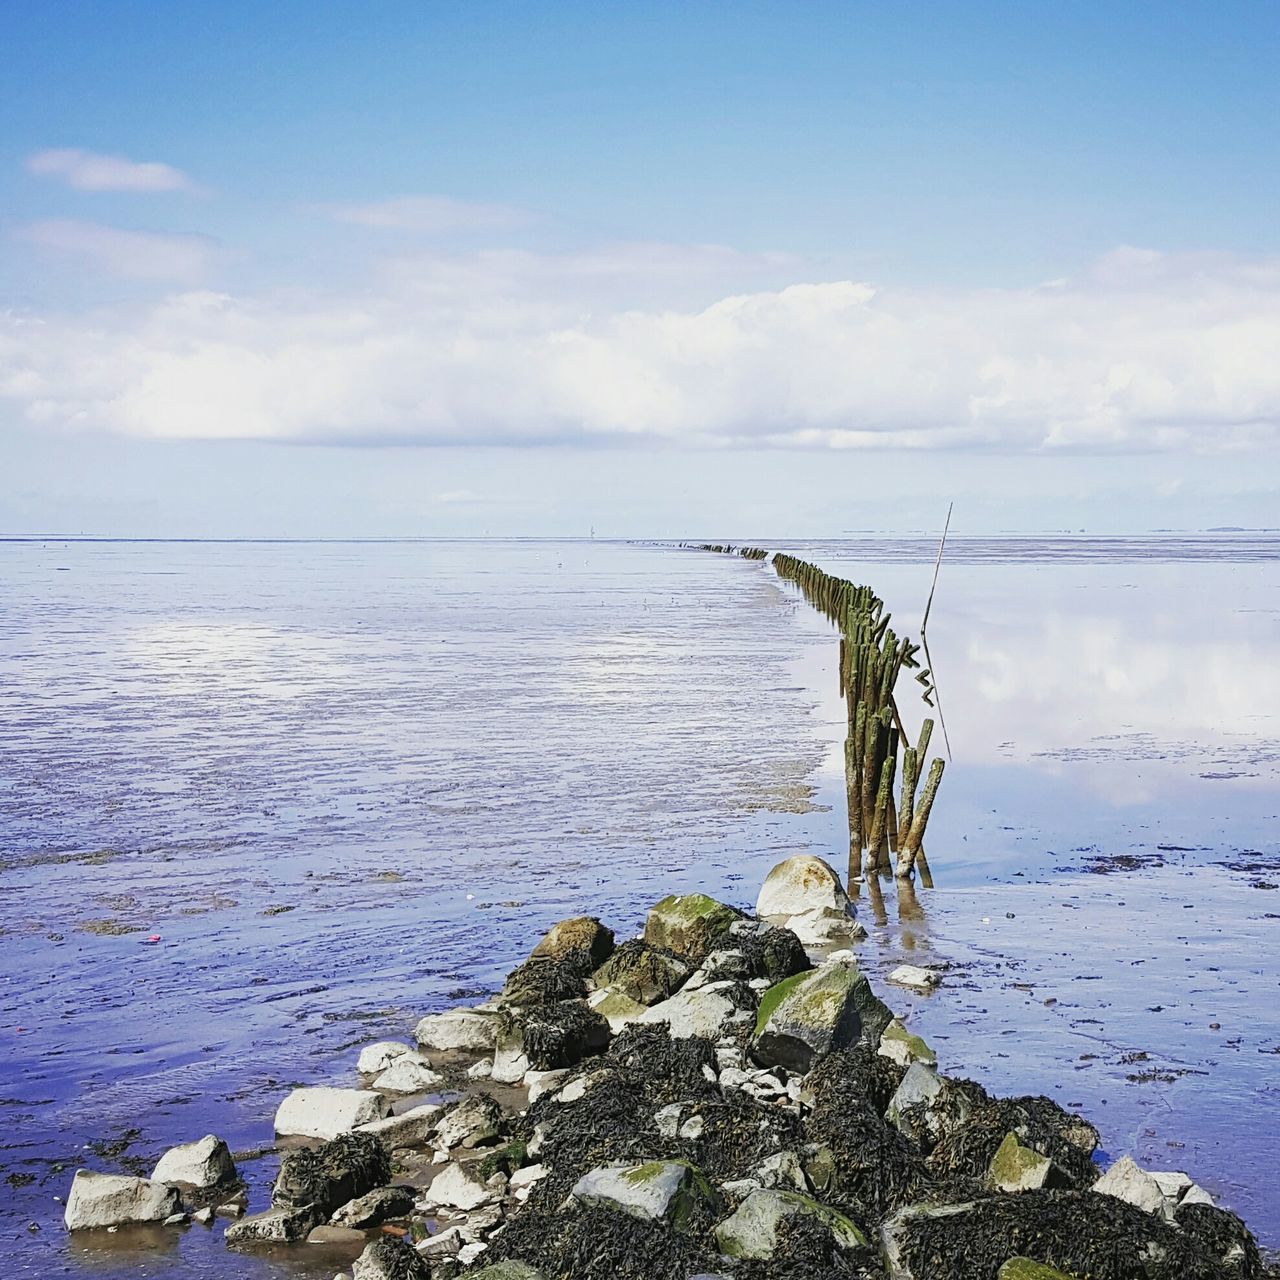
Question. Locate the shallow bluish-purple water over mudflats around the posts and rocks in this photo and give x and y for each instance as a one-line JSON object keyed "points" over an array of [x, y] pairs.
{"points": [[345, 784]]}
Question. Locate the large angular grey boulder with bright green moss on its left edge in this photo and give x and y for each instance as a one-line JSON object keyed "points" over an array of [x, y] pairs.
{"points": [[815, 1013]]}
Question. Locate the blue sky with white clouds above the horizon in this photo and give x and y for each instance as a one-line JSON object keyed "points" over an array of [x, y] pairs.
{"points": [[655, 269]]}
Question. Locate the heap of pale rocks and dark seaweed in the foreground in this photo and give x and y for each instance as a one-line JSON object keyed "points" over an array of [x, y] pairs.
{"points": [[715, 1098]]}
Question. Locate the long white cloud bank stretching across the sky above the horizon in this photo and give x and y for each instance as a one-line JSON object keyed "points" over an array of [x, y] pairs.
{"points": [[1142, 353]]}
